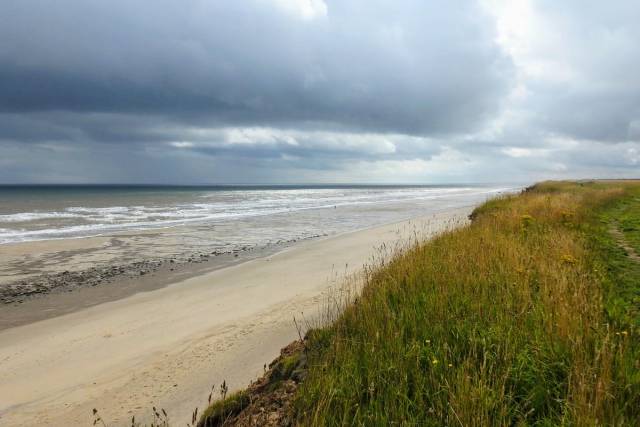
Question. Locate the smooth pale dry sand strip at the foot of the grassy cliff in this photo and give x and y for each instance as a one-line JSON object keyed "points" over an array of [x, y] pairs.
{"points": [[168, 346]]}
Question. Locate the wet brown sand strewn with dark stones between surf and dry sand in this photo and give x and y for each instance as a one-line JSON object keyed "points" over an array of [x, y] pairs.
{"points": [[44, 279]]}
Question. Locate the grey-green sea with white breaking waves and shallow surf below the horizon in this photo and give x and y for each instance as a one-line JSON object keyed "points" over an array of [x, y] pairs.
{"points": [[229, 214]]}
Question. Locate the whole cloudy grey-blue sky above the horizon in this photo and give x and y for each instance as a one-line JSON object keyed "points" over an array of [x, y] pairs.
{"points": [[318, 91]]}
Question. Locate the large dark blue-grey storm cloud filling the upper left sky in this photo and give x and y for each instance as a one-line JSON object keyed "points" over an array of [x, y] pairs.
{"points": [[414, 67]]}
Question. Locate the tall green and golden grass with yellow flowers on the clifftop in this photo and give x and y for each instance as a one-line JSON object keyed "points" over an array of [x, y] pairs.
{"points": [[502, 322]]}
